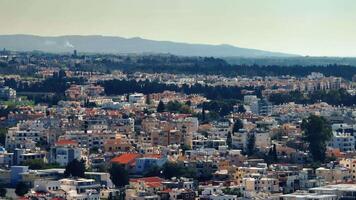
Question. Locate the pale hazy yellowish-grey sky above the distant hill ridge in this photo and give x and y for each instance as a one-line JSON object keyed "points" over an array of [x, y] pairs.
{"points": [[307, 27]]}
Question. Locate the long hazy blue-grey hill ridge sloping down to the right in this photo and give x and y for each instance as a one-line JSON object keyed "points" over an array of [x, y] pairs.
{"points": [[108, 44]]}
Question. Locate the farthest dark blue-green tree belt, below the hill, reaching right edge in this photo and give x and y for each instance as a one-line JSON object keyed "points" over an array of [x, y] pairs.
{"points": [[217, 66]]}
